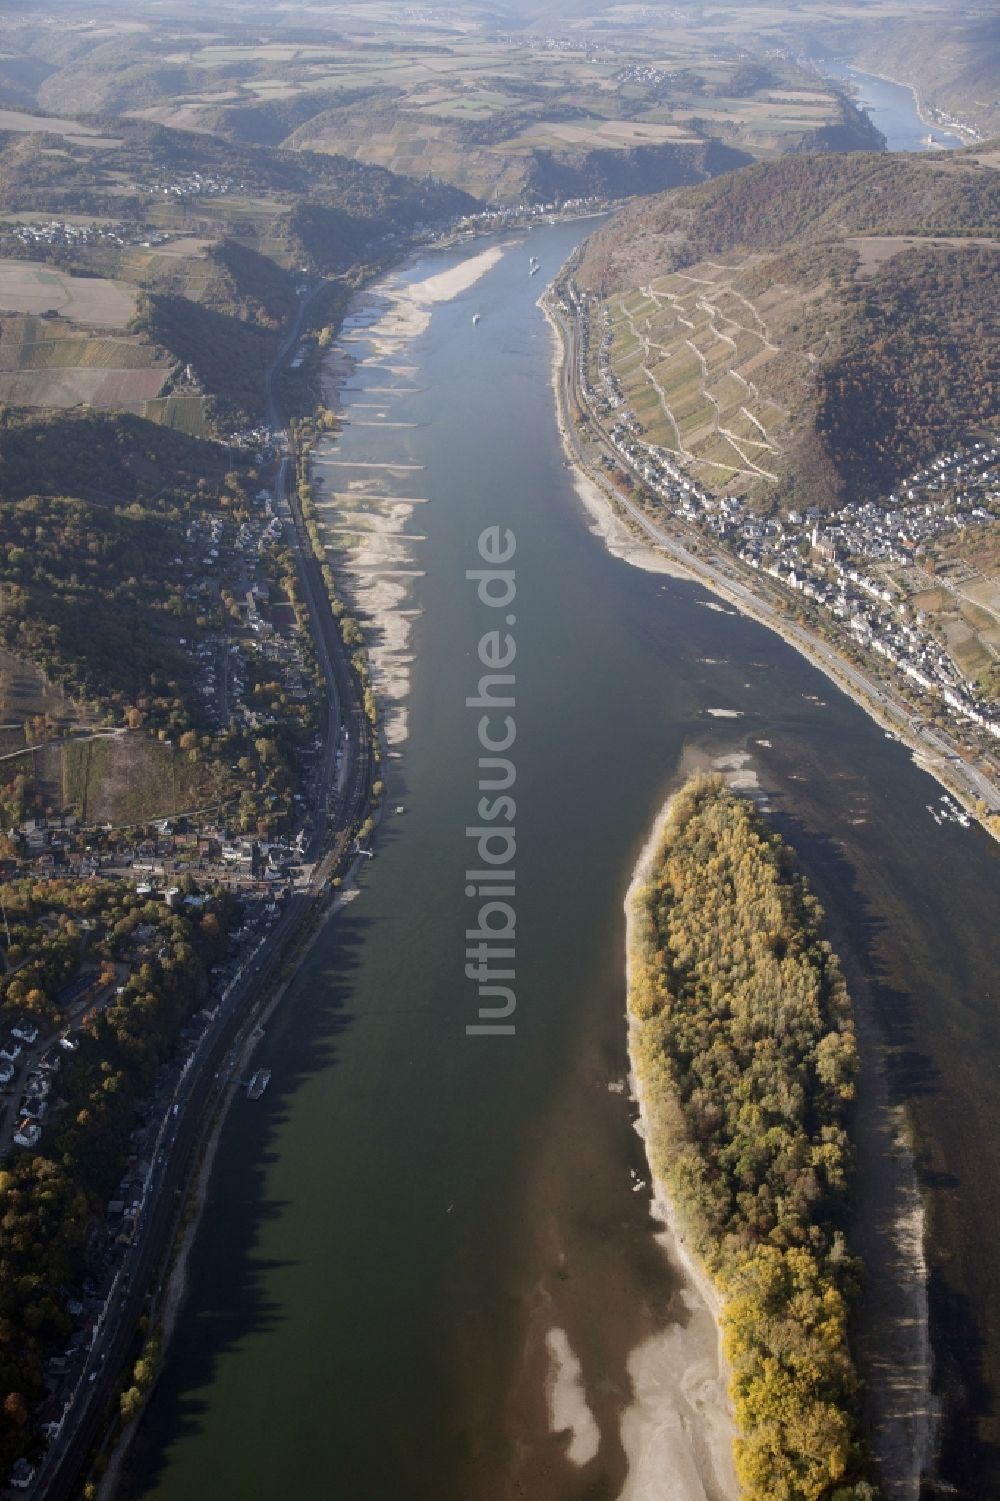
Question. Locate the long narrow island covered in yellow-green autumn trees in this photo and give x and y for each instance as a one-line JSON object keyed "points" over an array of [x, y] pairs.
{"points": [[744, 1051]]}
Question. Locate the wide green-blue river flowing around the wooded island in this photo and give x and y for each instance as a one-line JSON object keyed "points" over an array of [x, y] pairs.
{"points": [[397, 1223]]}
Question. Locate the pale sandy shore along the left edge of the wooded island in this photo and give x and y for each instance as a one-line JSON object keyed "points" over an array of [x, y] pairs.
{"points": [[679, 1431]]}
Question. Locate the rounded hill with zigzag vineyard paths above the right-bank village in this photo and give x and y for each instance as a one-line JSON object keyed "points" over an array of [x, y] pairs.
{"points": [[813, 329]]}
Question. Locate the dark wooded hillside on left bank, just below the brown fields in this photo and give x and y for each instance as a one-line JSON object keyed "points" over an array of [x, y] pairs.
{"points": [[95, 511]]}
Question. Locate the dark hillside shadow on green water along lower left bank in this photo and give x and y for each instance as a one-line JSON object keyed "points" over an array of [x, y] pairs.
{"points": [[301, 1041]]}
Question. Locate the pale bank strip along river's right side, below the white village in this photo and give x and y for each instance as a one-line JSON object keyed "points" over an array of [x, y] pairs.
{"points": [[657, 552]]}
